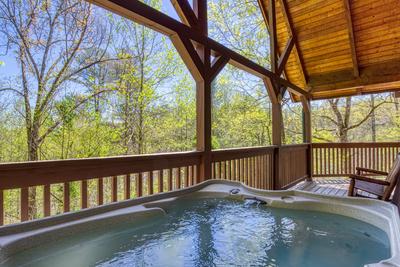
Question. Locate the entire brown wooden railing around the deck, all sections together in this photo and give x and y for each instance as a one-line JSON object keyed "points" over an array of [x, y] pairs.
{"points": [[105, 180]]}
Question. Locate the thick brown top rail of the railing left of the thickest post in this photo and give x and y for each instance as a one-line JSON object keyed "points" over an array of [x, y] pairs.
{"points": [[24, 174]]}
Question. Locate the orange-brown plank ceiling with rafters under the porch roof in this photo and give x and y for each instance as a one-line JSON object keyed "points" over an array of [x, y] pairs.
{"points": [[342, 47]]}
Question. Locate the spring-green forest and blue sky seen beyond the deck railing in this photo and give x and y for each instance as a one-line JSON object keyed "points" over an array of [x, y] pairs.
{"points": [[77, 82]]}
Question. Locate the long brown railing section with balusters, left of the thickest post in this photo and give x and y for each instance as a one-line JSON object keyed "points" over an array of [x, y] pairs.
{"points": [[114, 179]]}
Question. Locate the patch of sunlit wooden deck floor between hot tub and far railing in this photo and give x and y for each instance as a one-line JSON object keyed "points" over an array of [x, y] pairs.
{"points": [[327, 186]]}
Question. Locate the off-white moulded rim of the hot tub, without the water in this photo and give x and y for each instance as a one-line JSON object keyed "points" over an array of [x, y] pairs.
{"points": [[18, 237]]}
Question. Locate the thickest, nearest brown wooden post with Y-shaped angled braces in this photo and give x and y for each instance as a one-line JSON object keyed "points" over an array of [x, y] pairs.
{"points": [[197, 57]]}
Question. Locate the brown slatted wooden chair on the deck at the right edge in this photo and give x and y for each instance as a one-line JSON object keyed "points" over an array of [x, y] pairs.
{"points": [[380, 188]]}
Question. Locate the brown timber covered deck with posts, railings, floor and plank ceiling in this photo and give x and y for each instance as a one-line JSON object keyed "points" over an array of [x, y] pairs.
{"points": [[318, 50]]}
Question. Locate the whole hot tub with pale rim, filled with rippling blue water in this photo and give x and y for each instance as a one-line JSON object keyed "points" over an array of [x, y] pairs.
{"points": [[215, 223]]}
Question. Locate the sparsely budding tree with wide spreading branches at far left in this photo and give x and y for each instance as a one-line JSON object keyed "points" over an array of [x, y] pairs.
{"points": [[47, 38]]}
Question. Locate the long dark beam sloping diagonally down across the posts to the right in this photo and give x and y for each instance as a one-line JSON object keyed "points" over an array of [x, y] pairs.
{"points": [[154, 19]]}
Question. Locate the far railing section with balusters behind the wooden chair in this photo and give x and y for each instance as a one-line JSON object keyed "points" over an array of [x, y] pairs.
{"points": [[341, 159]]}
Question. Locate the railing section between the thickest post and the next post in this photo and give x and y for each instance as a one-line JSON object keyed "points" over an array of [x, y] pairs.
{"points": [[251, 166]]}
